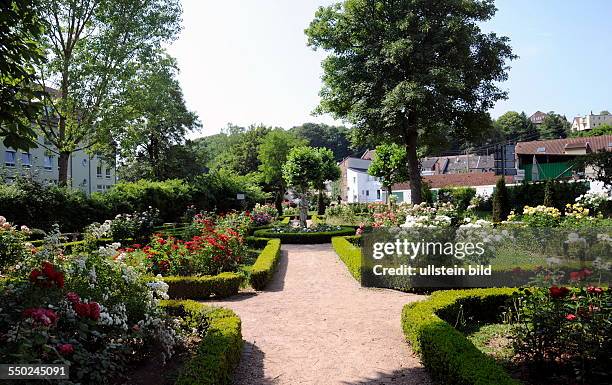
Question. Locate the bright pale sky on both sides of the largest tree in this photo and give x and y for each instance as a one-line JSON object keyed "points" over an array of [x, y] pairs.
{"points": [[246, 61]]}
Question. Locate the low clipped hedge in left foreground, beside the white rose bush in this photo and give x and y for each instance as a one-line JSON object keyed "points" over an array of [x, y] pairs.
{"points": [[218, 353]]}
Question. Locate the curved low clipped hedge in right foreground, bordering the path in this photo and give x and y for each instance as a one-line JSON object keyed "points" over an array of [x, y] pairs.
{"points": [[447, 354]]}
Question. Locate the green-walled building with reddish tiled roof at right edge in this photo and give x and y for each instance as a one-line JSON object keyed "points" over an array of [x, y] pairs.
{"points": [[555, 159]]}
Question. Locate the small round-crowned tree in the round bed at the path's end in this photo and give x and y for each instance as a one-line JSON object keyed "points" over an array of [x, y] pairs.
{"points": [[302, 168]]}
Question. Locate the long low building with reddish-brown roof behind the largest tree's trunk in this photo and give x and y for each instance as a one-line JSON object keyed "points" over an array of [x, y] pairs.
{"points": [[482, 182]]}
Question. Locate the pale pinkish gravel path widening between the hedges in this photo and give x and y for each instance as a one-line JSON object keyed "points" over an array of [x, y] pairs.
{"points": [[315, 325]]}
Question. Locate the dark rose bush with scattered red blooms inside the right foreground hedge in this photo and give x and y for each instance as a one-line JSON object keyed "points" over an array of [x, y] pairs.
{"points": [[565, 329]]}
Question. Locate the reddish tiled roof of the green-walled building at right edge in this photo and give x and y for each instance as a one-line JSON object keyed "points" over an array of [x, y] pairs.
{"points": [[558, 146]]}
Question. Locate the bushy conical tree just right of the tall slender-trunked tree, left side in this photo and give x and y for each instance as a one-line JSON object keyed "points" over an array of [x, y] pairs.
{"points": [[152, 118]]}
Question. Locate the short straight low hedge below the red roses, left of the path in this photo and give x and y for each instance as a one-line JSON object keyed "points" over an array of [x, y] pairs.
{"points": [[221, 286]]}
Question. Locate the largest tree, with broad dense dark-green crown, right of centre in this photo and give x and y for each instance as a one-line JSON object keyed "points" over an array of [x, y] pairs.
{"points": [[398, 69]]}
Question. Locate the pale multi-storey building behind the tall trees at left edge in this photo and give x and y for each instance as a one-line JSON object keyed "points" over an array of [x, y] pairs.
{"points": [[88, 173]]}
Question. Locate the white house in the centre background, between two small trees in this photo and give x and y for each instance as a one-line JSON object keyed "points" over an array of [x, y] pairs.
{"points": [[356, 185]]}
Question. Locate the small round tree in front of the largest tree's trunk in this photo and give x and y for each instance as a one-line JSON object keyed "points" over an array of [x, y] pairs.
{"points": [[389, 165]]}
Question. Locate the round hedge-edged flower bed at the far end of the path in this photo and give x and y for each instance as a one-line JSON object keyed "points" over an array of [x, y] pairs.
{"points": [[312, 235]]}
